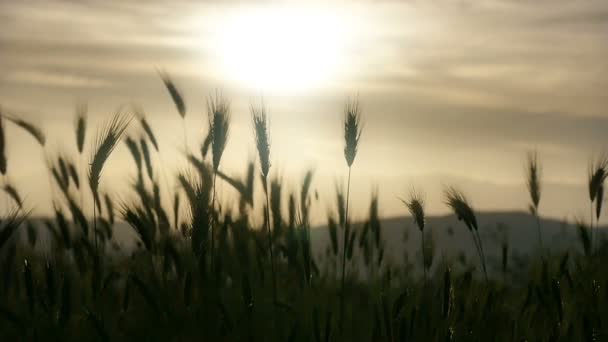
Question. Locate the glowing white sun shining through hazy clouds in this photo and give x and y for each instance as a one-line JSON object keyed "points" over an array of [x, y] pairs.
{"points": [[282, 49]]}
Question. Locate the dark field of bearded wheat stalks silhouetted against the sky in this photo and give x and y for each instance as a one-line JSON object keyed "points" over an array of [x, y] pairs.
{"points": [[266, 284]]}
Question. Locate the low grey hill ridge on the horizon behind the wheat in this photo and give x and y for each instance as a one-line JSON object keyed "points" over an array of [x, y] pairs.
{"points": [[450, 236]]}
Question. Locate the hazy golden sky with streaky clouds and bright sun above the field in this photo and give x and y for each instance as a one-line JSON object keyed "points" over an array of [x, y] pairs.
{"points": [[452, 92]]}
